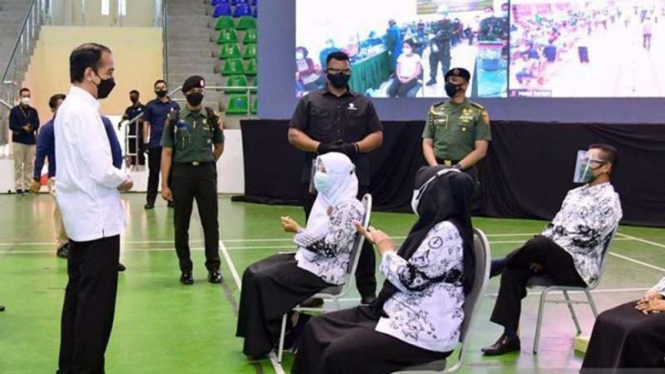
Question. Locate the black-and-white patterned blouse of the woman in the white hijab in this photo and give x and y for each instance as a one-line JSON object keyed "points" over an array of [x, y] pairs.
{"points": [[328, 255]]}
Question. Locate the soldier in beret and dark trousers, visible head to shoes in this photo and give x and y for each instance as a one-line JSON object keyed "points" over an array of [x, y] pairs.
{"points": [[193, 141]]}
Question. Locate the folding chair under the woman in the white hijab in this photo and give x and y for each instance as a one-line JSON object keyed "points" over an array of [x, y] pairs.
{"points": [[334, 293]]}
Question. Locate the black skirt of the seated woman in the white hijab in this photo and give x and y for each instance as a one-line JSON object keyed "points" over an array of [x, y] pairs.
{"points": [[271, 288]]}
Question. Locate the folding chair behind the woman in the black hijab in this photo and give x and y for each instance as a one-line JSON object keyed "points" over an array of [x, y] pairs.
{"points": [[483, 259]]}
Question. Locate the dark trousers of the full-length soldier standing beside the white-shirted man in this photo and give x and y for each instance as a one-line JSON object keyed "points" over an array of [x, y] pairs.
{"points": [[189, 182]]}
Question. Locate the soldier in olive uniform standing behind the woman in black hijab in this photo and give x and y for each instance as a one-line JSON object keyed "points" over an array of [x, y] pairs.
{"points": [[457, 132]]}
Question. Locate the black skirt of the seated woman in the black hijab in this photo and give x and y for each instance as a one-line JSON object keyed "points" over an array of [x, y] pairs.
{"points": [[346, 342]]}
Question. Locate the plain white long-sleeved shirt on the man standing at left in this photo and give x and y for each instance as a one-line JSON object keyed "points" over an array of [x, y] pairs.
{"points": [[87, 181]]}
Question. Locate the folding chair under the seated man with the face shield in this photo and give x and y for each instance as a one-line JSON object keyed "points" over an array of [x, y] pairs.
{"points": [[548, 285]]}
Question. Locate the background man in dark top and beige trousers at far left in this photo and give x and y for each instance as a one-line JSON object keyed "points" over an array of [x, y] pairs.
{"points": [[24, 123]]}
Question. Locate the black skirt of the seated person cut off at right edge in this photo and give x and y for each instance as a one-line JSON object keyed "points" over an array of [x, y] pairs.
{"points": [[623, 337]]}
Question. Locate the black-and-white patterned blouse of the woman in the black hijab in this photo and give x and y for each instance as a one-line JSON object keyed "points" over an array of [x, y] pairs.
{"points": [[427, 310]]}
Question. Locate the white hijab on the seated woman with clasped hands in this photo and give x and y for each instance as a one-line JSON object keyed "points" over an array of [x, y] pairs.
{"points": [[343, 186]]}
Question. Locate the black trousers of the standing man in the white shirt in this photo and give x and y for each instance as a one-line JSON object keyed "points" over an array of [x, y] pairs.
{"points": [[89, 307]]}
